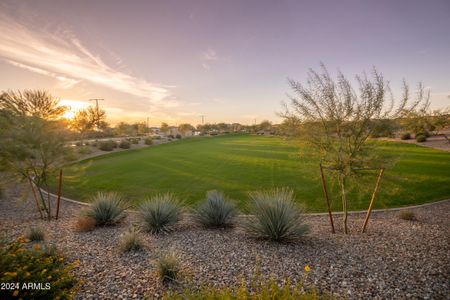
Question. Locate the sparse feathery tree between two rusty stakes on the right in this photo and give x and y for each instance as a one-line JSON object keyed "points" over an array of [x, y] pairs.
{"points": [[337, 120]]}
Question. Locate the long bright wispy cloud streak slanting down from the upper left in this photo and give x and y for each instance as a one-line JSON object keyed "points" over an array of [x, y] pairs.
{"points": [[62, 55]]}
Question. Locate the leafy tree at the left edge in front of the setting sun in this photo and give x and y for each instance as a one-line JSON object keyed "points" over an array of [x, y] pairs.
{"points": [[32, 140]]}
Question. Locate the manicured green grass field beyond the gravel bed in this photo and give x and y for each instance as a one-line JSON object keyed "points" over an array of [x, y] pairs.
{"points": [[237, 164]]}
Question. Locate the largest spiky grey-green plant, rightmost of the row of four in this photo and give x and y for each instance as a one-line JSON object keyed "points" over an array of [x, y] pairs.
{"points": [[275, 216]]}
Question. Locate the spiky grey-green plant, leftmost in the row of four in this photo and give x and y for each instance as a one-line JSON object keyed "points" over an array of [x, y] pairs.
{"points": [[107, 209]]}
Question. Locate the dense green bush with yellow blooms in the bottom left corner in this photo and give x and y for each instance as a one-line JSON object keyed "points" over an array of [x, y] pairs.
{"points": [[21, 264]]}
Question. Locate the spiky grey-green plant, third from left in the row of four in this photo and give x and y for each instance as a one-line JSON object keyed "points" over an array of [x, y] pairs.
{"points": [[216, 210]]}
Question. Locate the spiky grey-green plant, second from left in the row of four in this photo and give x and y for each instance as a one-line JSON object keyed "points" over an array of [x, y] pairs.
{"points": [[160, 213]]}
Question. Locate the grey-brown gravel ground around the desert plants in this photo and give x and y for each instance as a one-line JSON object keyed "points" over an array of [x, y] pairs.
{"points": [[394, 259]]}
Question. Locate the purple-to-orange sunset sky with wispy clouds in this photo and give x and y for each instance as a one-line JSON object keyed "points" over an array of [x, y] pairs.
{"points": [[229, 61]]}
